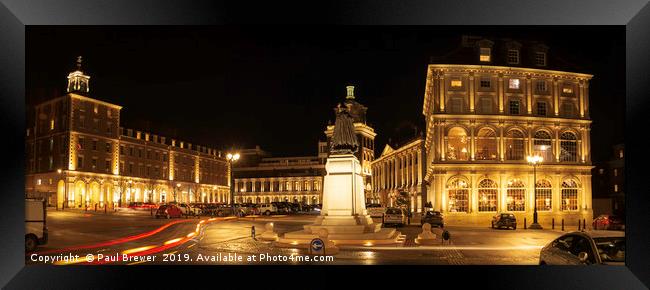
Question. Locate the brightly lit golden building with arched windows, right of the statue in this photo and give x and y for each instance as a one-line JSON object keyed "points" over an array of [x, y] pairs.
{"points": [[483, 120]]}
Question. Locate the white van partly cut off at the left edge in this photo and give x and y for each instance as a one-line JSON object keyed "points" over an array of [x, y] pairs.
{"points": [[35, 223]]}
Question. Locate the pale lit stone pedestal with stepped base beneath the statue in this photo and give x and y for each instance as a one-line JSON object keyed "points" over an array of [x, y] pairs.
{"points": [[344, 214]]}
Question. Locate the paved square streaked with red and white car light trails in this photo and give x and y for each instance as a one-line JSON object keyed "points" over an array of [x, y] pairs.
{"points": [[212, 241]]}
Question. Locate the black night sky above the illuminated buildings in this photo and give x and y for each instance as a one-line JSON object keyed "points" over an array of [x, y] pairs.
{"points": [[276, 86]]}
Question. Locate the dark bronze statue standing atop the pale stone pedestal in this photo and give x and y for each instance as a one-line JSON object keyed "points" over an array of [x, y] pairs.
{"points": [[344, 140]]}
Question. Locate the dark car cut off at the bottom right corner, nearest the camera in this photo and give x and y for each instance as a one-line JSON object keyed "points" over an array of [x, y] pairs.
{"points": [[585, 248]]}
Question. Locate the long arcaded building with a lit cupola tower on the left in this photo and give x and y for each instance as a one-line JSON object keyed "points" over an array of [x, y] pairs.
{"points": [[78, 154]]}
